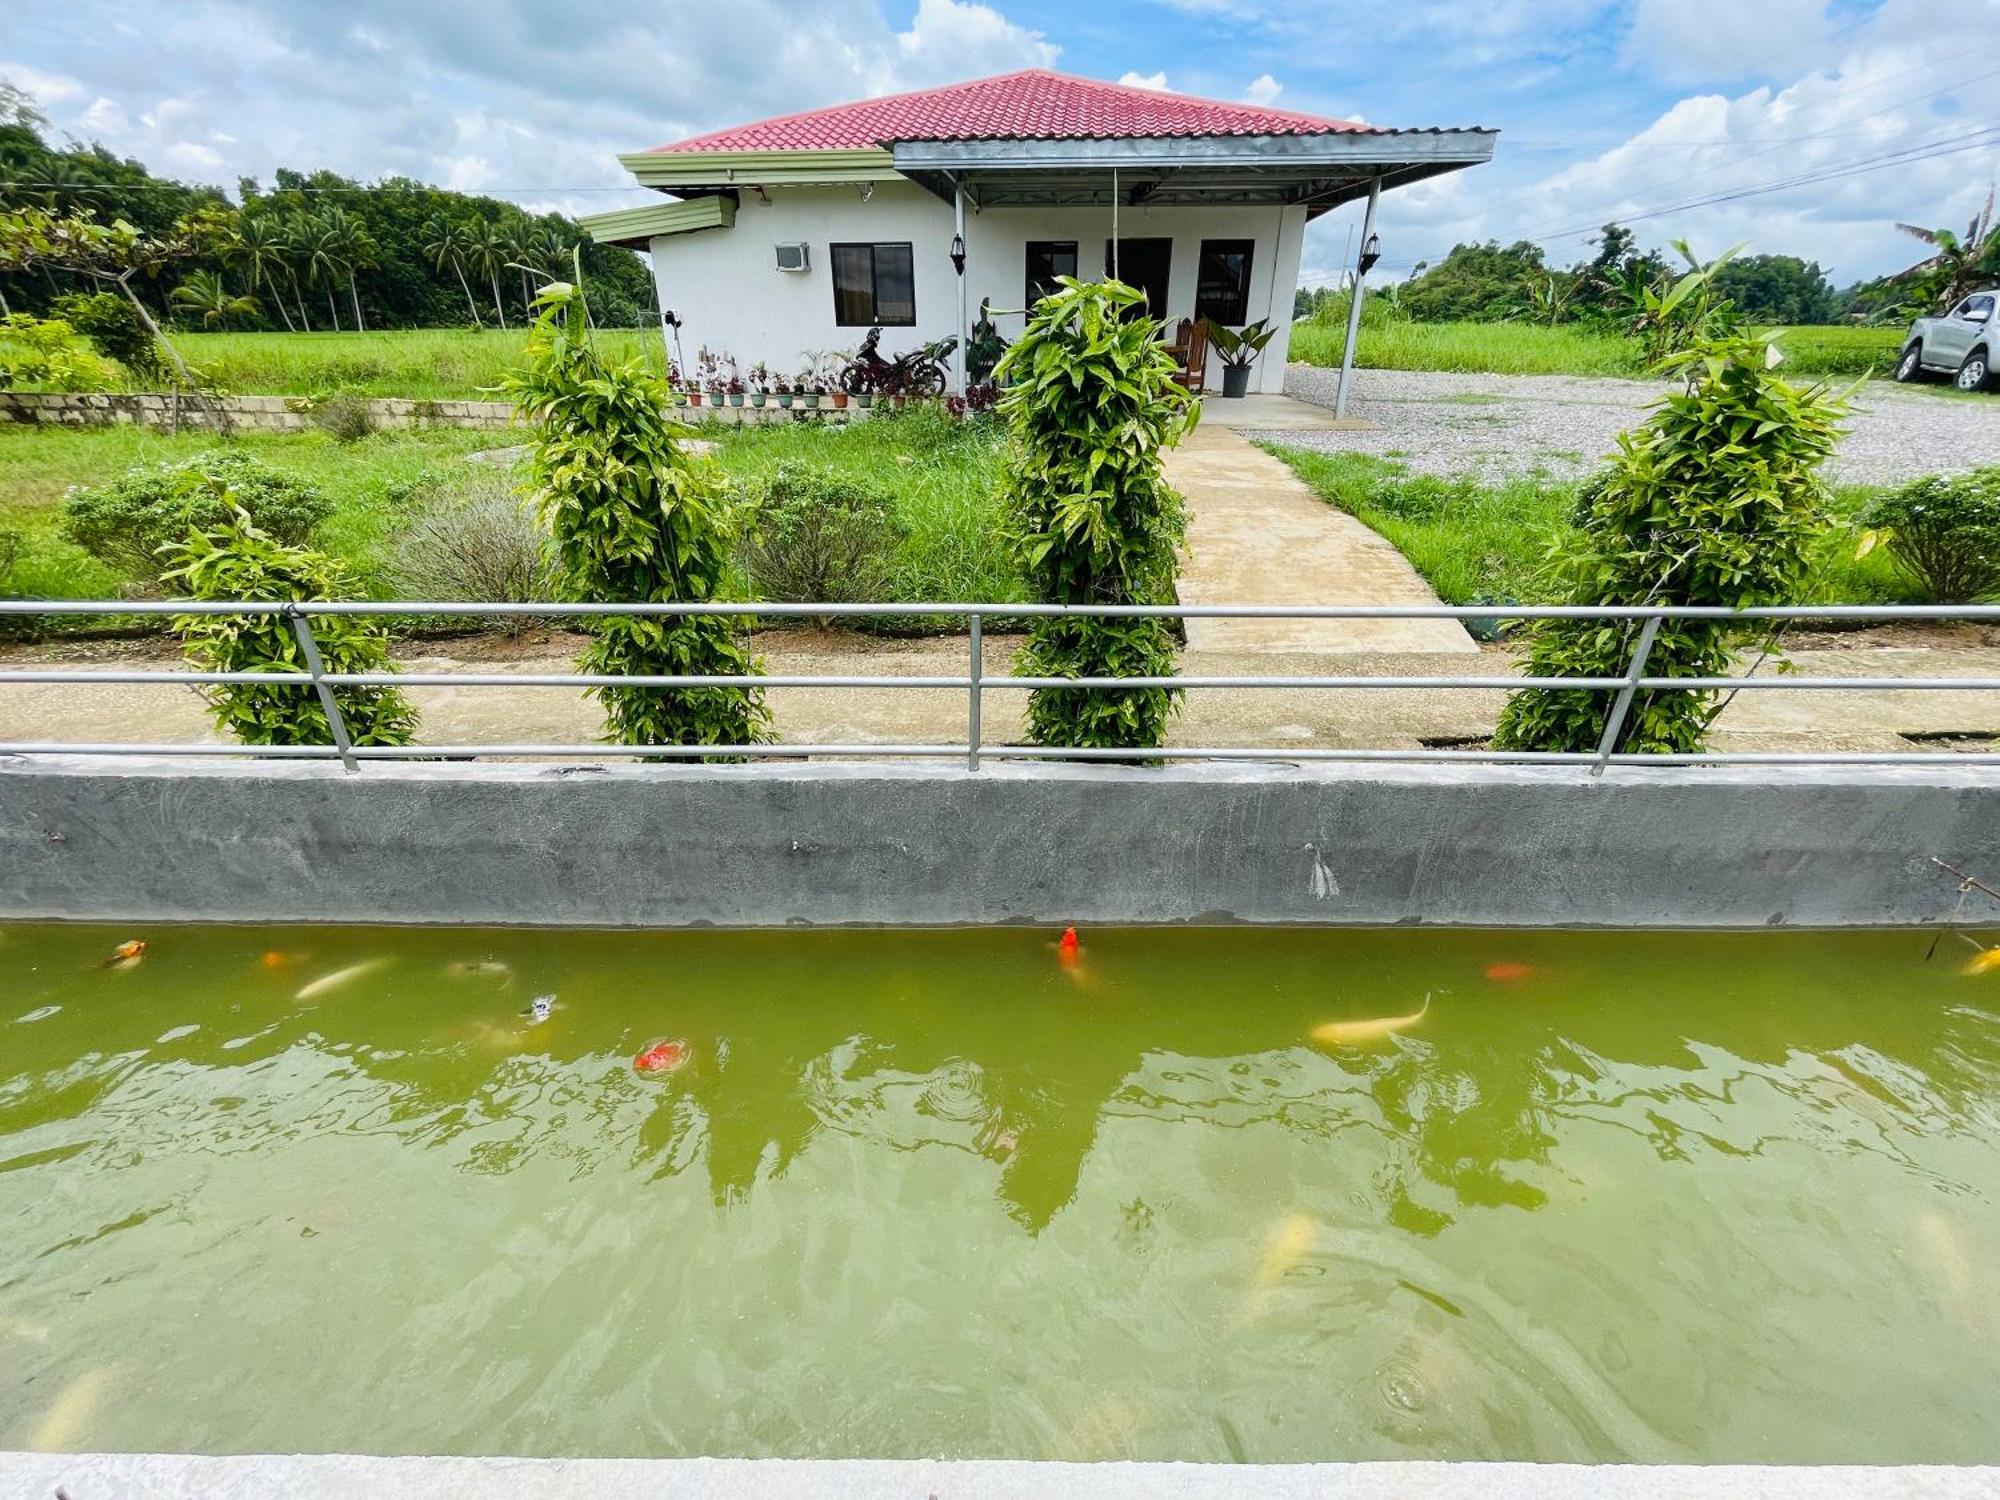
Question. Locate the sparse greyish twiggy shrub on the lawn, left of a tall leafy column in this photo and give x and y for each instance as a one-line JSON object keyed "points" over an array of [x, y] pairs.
{"points": [[475, 545]]}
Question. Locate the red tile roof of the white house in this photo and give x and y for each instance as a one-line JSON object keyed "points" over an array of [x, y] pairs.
{"points": [[1031, 105]]}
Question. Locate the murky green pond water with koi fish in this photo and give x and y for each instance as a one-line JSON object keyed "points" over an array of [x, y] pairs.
{"points": [[1649, 1197]]}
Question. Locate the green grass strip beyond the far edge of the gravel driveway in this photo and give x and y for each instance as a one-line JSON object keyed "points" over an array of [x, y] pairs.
{"points": [[1533, 349]]}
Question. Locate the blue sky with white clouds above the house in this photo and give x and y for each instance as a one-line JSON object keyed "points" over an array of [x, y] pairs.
{"points": [[1609, 109]]}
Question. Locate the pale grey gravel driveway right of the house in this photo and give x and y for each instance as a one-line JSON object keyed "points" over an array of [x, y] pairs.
{"points": [[1565, 425]]}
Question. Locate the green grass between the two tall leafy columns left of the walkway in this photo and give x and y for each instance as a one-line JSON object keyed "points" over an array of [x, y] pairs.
{"points": [[943, 473]]}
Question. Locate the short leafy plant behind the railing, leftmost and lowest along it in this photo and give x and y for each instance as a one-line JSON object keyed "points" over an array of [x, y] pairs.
{"points": [[237, 561]]}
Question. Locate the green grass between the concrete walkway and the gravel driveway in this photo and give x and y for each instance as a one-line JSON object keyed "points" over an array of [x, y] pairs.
{"points": [[1479, 543]]}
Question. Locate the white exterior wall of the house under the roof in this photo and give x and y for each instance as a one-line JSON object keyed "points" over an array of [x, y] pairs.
{"points": [[731, 297]]}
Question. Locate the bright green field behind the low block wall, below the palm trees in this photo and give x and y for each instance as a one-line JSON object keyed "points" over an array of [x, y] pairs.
{"points": [[419, 363]]}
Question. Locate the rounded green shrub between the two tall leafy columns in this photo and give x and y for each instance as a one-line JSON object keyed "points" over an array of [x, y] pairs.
{"points": [[821, 535]]}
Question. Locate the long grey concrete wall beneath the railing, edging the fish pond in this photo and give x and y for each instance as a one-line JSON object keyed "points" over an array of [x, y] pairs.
{"points": [[1017, 843]]}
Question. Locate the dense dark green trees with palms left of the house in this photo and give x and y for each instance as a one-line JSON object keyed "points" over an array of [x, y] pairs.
{"points": [[313, 251]]}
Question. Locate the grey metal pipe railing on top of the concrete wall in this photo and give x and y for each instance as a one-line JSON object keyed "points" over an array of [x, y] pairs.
{"points": [[975, 683]]}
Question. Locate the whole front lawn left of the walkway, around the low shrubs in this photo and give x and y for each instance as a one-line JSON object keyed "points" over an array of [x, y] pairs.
{"points": [[943, 473]]}
